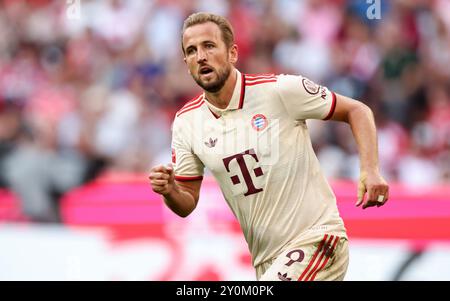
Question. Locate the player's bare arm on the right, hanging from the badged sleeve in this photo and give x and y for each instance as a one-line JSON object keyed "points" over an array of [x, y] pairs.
{"points": [[360, 118]]}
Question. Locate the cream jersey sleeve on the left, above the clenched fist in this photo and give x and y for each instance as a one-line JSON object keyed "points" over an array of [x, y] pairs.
{"points": [[186, 164]]}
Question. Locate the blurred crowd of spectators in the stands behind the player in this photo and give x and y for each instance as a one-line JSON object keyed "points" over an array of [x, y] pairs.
{"points": [[93, 85]]}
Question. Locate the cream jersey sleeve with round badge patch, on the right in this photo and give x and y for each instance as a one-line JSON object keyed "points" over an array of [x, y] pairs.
{"points": [[305, 99]]}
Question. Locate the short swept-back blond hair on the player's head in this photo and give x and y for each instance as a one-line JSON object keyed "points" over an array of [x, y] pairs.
{"points": [[202, 17]]}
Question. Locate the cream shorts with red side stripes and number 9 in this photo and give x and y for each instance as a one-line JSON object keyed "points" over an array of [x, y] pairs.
{"points": [[326, 259]]}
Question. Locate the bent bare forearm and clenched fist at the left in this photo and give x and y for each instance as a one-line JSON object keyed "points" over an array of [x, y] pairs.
{"points": [[180, 197]]}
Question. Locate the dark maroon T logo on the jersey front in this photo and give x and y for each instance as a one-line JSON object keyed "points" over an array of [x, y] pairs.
{"points": [[244, 170]]}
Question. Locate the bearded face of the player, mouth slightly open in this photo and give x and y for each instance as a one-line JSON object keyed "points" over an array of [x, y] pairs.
{"points": [[207, 57]]}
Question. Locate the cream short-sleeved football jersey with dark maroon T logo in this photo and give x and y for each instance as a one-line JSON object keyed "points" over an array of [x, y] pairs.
{"points": [[260, 152]]}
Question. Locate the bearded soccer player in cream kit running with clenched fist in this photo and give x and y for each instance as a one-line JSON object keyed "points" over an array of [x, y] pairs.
{"points": [[250, 132]]}
